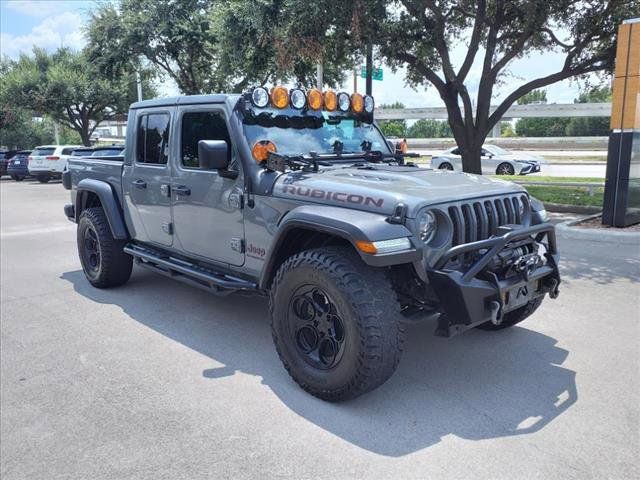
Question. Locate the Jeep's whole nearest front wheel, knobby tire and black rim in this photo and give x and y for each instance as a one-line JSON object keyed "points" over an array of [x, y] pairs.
{"points": [[335, 323]]}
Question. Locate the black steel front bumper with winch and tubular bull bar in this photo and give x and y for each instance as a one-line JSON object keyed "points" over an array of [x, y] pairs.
{"points": [[500, 274]]}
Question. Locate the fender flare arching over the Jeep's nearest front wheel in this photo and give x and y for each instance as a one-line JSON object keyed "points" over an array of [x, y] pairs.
{"points": [[350, 225]]}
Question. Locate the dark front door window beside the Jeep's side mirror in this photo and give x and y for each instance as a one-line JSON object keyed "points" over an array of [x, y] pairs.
{"points": [[198, 126]]}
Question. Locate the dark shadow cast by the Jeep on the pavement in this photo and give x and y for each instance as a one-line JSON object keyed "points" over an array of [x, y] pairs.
{"points": [[477, 386]]}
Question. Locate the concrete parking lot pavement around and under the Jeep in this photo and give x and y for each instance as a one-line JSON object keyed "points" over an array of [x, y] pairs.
{"points": [[159, 380]]}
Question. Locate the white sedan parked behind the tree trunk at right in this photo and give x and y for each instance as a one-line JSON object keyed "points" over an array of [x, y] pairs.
{"points": [[495, 161]]}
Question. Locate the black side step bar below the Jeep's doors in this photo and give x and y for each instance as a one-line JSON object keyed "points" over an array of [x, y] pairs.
{"points": [[187, 272]]}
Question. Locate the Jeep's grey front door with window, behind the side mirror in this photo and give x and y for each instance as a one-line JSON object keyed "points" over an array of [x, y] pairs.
{"points": [[207, 207]]}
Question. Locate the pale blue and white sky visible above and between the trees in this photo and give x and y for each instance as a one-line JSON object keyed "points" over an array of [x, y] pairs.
{"points": [[53, 23]]}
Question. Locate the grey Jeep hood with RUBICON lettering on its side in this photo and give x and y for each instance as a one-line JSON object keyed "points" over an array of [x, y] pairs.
{"points": [[380, 188]]}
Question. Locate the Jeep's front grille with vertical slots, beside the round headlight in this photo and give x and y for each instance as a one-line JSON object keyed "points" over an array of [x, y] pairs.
{"points": [[478, 220]]}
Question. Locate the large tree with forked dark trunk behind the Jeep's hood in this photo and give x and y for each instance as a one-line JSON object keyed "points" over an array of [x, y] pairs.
{"points": [[420, 35]]}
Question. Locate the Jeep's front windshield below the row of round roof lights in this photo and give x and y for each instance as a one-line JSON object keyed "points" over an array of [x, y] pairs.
{"points": [[329, 136]]}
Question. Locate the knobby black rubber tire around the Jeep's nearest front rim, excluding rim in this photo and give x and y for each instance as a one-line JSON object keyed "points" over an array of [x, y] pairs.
{"points": [[373, 333]]}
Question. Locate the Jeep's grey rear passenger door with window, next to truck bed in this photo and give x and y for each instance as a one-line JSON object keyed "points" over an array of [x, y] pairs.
{"points": [[147, 180]]}
